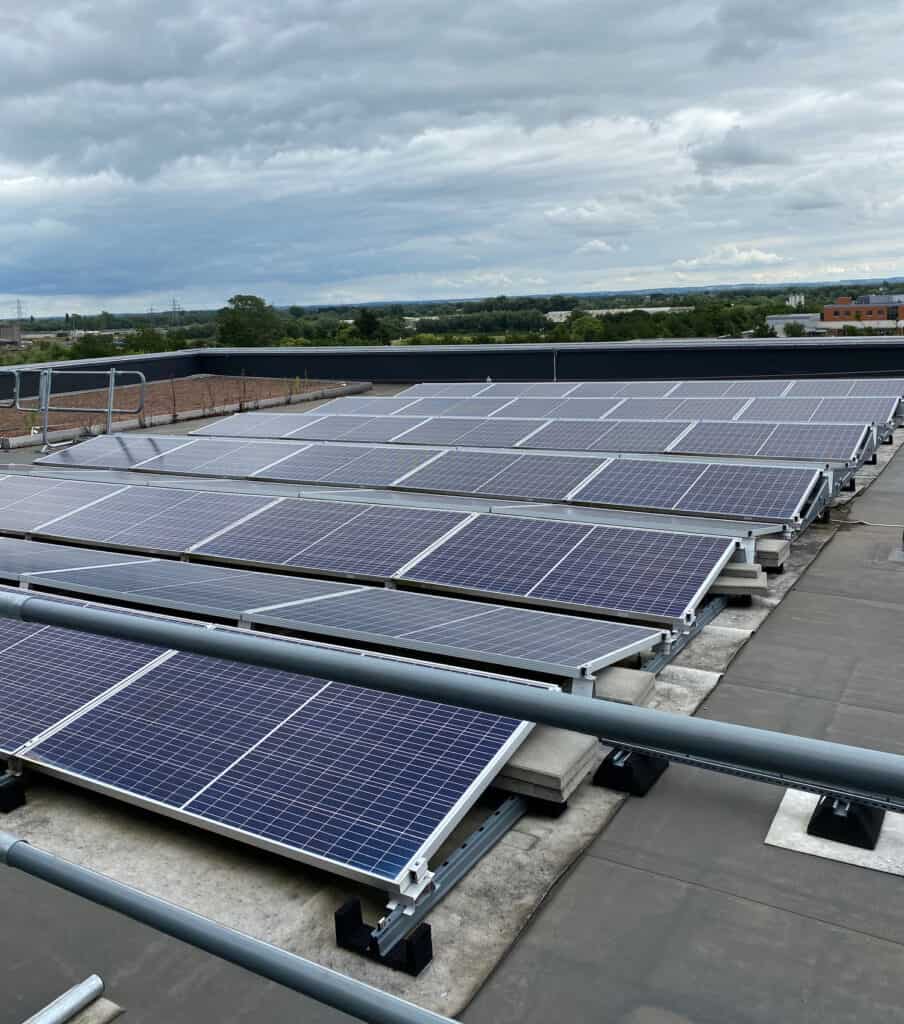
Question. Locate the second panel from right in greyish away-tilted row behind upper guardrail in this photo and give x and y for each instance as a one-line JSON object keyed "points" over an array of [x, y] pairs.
{"points": [[189, 586]]}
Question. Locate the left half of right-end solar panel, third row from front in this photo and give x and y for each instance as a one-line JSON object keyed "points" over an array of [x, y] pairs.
{"points": [[500, 556]]}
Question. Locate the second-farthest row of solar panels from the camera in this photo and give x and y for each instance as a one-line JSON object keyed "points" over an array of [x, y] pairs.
{"points": [[878, 410]]}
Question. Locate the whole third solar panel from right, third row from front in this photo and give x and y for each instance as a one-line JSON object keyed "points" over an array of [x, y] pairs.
{"points": [[155, 519]]}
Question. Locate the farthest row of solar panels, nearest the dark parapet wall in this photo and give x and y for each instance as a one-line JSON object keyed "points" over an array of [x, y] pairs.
{"points": [[814, 389]]}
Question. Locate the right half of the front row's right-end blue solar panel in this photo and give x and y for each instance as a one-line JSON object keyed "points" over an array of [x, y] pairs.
{"points": [[359, 778]]}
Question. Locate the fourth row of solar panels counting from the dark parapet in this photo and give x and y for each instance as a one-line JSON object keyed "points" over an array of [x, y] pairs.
{"points": [[706, 489]]}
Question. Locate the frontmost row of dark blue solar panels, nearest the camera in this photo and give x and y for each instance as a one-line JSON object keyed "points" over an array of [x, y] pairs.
{"points": [[354, 781]]}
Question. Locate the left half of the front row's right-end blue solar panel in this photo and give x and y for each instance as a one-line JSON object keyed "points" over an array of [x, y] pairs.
{"points": [[173, 732]]}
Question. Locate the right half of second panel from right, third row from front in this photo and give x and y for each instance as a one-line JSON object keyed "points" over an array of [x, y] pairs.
{"points": [[378, 542]]}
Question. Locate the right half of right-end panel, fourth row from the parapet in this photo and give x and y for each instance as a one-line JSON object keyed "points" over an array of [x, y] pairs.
{"points": [[758, 492]]}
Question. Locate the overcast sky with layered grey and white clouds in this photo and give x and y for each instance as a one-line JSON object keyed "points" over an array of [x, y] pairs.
{"points": [[346, 151]]}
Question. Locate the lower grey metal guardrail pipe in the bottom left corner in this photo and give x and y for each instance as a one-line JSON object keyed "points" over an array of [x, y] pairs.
{"points": [[330, 988]]}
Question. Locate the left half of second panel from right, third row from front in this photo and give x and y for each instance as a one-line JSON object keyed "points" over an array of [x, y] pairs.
{"points": [[278, 534]]}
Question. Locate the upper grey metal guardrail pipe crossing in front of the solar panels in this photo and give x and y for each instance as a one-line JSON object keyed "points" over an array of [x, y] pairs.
{"points": [[854, 774]]}
